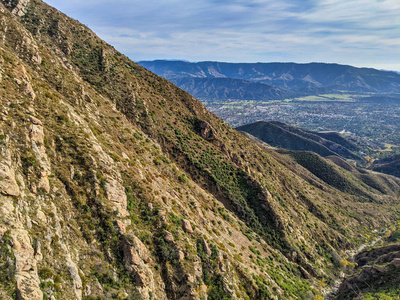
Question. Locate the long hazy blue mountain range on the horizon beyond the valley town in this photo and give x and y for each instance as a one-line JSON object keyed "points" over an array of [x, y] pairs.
{"points": [[296, 79]]}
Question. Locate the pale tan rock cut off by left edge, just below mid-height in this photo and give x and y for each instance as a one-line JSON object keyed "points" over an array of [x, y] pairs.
{"points": [[8, 183]]}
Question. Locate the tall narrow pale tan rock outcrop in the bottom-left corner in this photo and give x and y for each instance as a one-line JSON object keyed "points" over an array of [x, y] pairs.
{"points": [[25, 266]]}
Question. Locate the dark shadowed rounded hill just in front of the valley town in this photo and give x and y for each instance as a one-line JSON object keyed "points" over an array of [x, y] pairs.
{"points": [[281, 135]]}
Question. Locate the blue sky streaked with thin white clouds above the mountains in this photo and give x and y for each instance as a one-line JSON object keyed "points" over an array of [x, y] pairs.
{"points": [[363, 33]]}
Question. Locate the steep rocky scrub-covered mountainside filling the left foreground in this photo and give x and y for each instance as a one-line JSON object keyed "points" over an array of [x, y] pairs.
{"points": [[115, 184]]}
